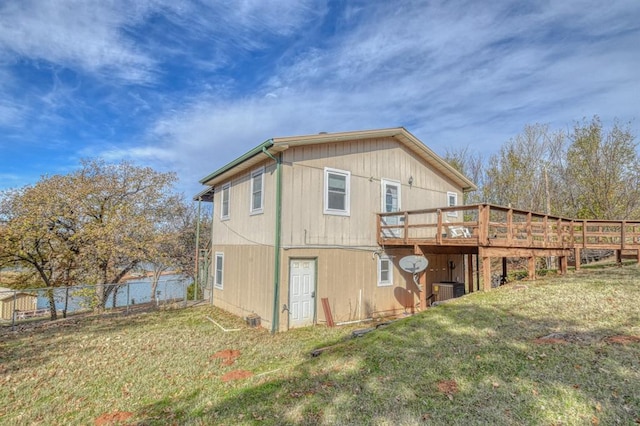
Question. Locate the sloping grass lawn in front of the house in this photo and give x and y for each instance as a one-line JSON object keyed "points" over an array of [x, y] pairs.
{"points": [[475, 360]]}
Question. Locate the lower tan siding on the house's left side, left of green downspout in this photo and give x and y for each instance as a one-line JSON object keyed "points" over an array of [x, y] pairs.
{"points": [[248, 281]]}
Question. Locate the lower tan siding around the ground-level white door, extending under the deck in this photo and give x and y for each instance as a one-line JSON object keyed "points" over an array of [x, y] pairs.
{"points": [[348, 278]]}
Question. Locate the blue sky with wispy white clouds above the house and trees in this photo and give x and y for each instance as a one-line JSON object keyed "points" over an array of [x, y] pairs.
{"points": [[187, 86]]}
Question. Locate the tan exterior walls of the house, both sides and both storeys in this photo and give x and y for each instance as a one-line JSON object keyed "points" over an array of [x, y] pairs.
{"points": [[344, 247]]}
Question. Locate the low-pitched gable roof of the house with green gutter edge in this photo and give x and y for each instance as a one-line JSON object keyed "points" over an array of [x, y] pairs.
{"points": [[276, 145]]}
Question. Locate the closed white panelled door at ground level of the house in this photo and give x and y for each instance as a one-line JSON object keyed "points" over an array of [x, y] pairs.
{"points": [[302, 289]]}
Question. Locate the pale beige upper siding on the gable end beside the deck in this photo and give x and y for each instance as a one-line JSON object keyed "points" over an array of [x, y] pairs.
{"points": [[368, 161]]}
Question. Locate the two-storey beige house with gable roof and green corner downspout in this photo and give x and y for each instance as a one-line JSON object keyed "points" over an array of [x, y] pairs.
{"points": [[295, 222]]}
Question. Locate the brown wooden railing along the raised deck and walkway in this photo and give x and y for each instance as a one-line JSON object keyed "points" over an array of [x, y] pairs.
{"points": [[486, 225]]}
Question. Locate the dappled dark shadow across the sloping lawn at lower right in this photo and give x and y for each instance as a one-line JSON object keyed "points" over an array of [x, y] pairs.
{"points": [[455, 364]]}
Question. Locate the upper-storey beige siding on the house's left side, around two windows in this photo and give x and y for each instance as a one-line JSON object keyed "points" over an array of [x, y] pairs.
{"points": [[244, 226]]}
